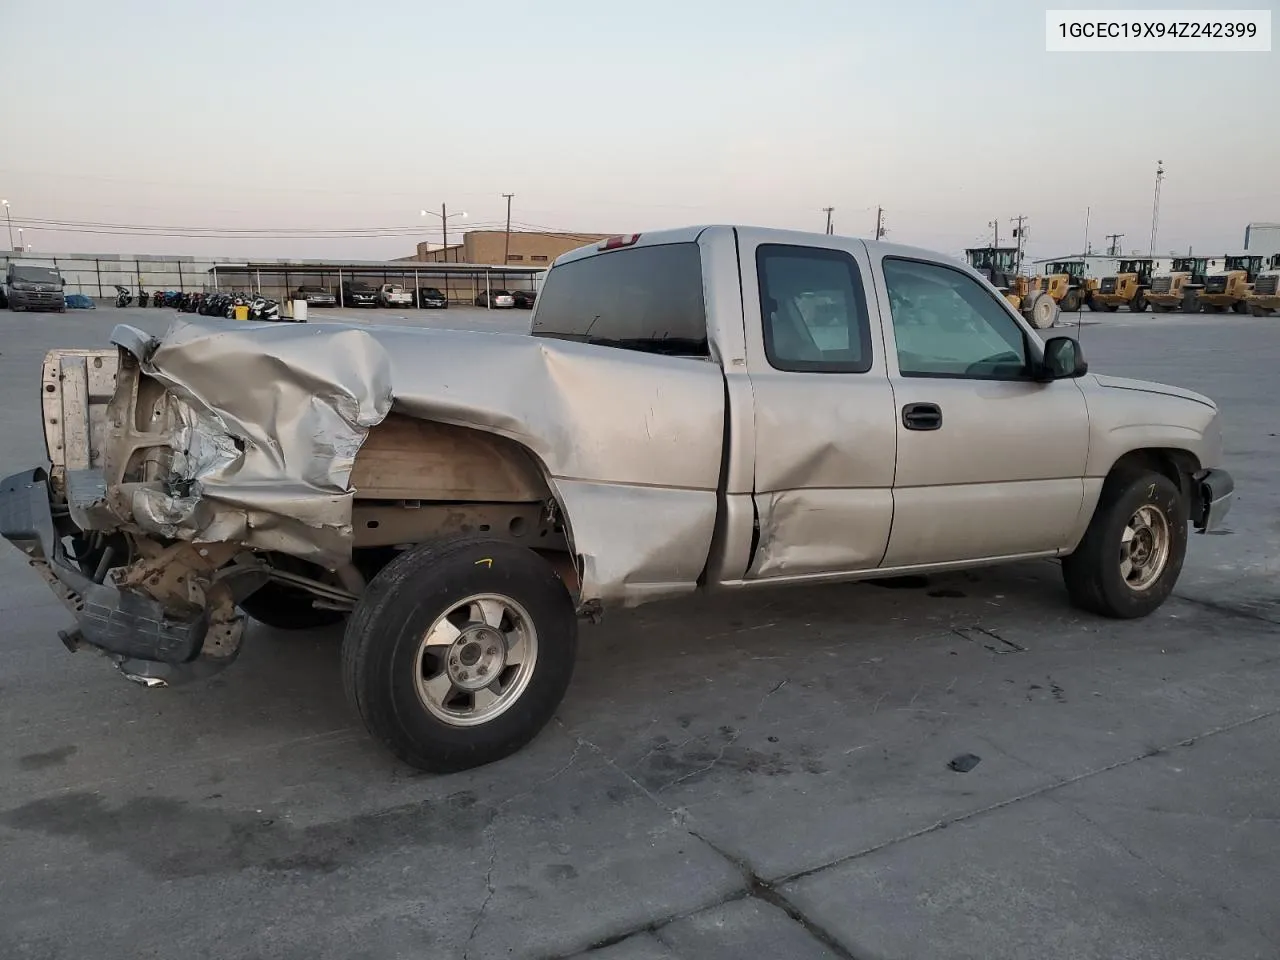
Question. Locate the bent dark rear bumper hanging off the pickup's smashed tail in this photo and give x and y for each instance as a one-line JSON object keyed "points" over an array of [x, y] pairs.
{"points": [[135, 630]]}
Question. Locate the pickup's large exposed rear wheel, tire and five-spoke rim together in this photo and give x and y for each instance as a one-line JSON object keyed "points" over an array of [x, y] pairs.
{"points": [[459, 652]]}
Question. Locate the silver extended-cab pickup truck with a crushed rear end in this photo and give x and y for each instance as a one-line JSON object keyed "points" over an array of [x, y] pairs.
{"points": [[707, 409]]}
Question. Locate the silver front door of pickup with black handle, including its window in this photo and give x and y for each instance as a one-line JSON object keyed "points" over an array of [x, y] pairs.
{"points": [[990, 463]]}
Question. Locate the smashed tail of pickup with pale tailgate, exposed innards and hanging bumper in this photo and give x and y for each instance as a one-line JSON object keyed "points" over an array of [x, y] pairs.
{"points": [[104, 524]]}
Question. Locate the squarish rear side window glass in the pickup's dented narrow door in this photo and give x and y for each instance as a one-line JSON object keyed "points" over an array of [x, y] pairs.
{"points": [[813, 310]]}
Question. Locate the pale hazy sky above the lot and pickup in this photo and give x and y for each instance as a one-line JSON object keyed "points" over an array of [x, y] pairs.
{"points": [[607, 116]]}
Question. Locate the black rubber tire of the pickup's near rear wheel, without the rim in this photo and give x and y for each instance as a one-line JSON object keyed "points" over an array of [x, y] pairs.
{"points": [[381, 653]]}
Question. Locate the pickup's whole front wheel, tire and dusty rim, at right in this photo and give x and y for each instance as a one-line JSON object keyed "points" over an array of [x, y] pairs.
{"points": [[1133, 551]]}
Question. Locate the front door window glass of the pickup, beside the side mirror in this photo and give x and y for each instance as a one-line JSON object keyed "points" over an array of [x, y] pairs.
{"points": [[947, 324]]}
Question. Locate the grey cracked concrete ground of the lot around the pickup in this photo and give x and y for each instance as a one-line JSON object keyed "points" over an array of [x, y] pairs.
{"points": [[760, 776]]}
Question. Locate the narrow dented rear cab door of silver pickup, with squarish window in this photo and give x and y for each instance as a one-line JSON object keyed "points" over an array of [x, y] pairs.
{"points": [[825, 420]]}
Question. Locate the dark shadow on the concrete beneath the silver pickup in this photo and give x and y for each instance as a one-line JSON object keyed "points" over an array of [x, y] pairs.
{"points": [[639, 656]]}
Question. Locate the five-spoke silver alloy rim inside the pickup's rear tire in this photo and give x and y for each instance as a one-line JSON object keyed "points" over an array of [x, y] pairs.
{"points": [[477, 660]]}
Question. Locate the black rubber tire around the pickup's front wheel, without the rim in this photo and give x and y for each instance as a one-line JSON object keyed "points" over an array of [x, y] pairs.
{"points": [[1094, 572]]}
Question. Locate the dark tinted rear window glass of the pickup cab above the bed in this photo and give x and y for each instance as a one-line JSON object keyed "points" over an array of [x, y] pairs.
{"points": [[647, 299]]}
